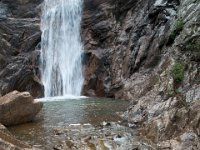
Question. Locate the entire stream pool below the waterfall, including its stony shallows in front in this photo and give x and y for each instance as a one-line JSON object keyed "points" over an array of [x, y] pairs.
{"points": [[85, 123]]}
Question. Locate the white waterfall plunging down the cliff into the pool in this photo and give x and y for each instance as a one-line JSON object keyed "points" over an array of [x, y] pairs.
{"points": [[61, 46]]}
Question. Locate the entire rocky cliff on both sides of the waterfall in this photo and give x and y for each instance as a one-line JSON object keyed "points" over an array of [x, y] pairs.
{"points": [[144, 51]]}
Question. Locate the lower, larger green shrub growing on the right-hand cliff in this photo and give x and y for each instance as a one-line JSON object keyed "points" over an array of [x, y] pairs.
{"points": [[178, 72]]}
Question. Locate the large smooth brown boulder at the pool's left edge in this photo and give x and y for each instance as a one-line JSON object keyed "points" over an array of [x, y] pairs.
{"points": [[17, 108]]}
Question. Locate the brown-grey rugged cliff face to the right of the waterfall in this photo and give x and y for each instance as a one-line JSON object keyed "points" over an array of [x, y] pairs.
{"points": [[148, 52]]}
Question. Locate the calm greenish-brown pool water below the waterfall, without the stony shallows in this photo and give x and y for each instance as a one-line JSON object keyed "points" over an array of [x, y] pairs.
{"points": [[59, 113]]}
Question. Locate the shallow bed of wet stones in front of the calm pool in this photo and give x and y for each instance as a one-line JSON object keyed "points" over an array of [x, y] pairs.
{"points": [[114, 136]]}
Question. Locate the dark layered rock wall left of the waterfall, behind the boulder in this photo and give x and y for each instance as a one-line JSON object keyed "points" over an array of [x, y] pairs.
{"points": [[19, 40]]}
